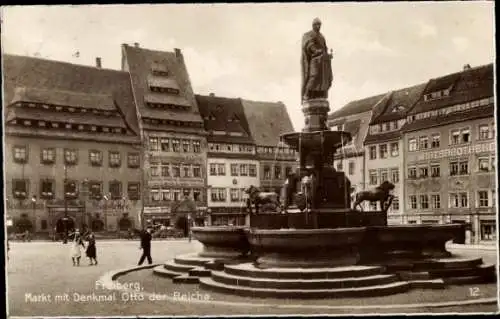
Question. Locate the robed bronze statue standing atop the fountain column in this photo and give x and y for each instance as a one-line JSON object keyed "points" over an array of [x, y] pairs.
{"points": [[316, 64]]}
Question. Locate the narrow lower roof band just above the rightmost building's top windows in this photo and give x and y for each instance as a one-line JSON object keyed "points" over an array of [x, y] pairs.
{"points": [[470, 114]]}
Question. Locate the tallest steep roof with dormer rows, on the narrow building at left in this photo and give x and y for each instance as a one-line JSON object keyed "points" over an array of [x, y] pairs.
{"points": [[139, 62]]}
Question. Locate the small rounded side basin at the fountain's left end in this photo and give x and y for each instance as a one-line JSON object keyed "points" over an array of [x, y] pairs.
{"points": [[222, 241]]}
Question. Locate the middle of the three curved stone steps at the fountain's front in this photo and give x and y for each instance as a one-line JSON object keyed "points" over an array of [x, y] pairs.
{"points": [[274, 283]]}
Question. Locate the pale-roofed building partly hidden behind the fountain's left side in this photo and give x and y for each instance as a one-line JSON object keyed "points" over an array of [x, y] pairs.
{"points": [[267, 121]]}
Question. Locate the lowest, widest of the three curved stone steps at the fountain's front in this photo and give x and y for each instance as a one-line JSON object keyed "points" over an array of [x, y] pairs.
{"points": [[372, 291]]}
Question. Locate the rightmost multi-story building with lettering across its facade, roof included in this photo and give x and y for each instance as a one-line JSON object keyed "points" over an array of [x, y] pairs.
{"points": [[450, 153]]}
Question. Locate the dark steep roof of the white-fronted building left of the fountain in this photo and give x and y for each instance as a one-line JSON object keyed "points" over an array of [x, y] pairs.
{"points": [[224, 115]]}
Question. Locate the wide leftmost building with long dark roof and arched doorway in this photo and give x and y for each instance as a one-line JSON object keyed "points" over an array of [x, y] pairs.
{"points": [[72, 159]]}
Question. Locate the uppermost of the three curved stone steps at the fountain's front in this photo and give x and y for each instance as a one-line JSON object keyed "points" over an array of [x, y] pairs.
{"points": [[249, 270]]}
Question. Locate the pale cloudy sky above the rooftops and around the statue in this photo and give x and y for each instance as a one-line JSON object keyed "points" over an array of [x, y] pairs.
{"points": [[252, 51]]}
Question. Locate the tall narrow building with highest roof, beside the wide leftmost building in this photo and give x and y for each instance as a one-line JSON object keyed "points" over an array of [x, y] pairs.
{"points": [[174, 138]]}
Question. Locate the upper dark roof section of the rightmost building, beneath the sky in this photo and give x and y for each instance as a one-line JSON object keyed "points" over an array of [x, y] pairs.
{"points": [[468, 85]]}
